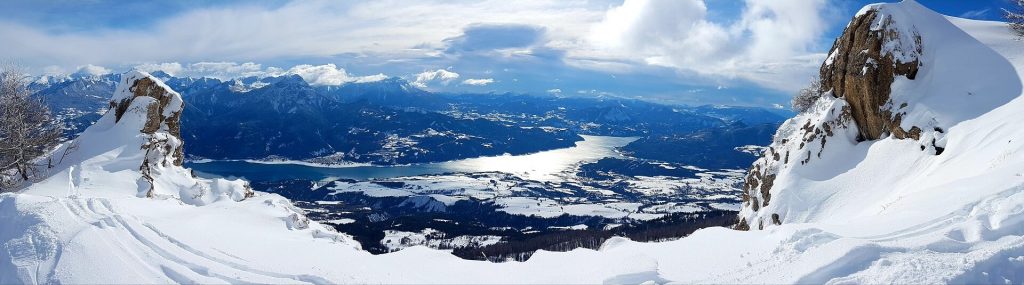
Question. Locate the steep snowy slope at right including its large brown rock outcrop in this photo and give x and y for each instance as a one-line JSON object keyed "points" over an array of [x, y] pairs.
{"points": [[940, 137]]}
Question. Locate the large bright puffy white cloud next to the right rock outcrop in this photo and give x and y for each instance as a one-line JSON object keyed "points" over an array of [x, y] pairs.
{"points": [[773, 44]]}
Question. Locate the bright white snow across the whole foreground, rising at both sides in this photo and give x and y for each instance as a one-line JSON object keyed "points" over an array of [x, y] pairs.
{"points": [[887, 213]]}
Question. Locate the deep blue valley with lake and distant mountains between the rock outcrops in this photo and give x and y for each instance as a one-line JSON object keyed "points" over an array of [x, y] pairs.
{"points": [[497, 176]]}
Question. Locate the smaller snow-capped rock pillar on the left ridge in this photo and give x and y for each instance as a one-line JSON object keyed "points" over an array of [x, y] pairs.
{"points": [[146, 110]]}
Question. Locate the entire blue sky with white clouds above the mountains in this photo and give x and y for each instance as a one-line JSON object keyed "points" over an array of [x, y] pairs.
{"points": [[750, 53]]}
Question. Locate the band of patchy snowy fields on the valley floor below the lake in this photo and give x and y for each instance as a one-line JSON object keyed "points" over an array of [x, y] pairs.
{"points": [[517, 196]]}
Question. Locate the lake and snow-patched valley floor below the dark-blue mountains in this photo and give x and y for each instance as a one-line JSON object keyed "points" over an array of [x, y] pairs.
{"points": [[578, 193]]}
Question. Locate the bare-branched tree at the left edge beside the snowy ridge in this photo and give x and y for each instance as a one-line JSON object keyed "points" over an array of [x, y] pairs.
{"points": [[27, 130]]}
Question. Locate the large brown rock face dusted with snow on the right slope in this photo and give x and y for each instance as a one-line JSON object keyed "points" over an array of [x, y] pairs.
{"points": [[857, 104]]}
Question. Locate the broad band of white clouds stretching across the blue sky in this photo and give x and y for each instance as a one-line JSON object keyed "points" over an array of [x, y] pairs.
{"points": [[772, 44]]}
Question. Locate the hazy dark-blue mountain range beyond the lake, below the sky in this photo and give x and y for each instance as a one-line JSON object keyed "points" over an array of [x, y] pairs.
{"points": [[385, 123]]}
